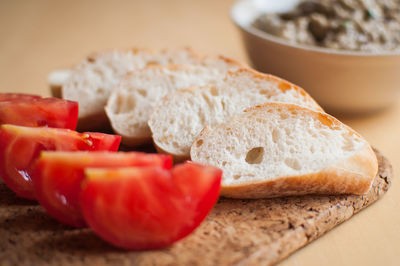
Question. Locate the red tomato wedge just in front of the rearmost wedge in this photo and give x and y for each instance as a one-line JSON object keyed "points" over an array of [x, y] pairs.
{"points": [[20, 147]]}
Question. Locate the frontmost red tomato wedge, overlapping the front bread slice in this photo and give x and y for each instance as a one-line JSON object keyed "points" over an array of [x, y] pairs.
{"points": [[148, 207]]}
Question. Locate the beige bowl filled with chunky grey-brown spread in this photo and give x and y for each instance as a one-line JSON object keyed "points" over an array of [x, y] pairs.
{"points": [[346, 66]]}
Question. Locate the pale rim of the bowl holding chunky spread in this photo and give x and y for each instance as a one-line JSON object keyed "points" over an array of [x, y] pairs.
{"points": [[329, 51]]}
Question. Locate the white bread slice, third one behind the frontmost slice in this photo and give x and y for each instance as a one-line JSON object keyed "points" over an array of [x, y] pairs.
{"points": [[92, 81]]}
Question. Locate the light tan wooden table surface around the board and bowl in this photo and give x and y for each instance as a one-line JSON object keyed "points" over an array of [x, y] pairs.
{"points": [[39, 36]]}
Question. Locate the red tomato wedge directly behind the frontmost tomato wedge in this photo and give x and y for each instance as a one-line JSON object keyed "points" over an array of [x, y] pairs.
{"points": [[58, 177]]}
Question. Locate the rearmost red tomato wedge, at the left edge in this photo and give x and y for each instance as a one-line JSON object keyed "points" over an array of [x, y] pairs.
{"points": [[33, 111]]}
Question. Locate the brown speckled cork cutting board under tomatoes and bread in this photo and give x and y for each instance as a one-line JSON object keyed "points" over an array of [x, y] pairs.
{"points": [[237, 232]]}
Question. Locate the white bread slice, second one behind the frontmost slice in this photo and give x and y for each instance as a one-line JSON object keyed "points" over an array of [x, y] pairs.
{"points": [[131, 103]]}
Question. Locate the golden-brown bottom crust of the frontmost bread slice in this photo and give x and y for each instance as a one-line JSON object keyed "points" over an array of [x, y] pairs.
{"points": [[331, 181]]}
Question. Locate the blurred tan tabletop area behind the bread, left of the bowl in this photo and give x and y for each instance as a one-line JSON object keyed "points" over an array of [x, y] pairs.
{"points": [[39, 36]]}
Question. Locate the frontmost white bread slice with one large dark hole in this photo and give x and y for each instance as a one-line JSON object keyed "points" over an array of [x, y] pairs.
{"points": [[279, 149]]}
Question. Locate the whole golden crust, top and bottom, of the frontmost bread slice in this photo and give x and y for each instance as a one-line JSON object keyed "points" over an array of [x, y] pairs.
{"points": [[353, 175]]}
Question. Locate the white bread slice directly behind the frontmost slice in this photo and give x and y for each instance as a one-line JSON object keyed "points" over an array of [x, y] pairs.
{"points": [[180, 116]]}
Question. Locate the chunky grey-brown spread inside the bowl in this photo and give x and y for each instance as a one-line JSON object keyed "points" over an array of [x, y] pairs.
{"points": [[355, 25]]}
